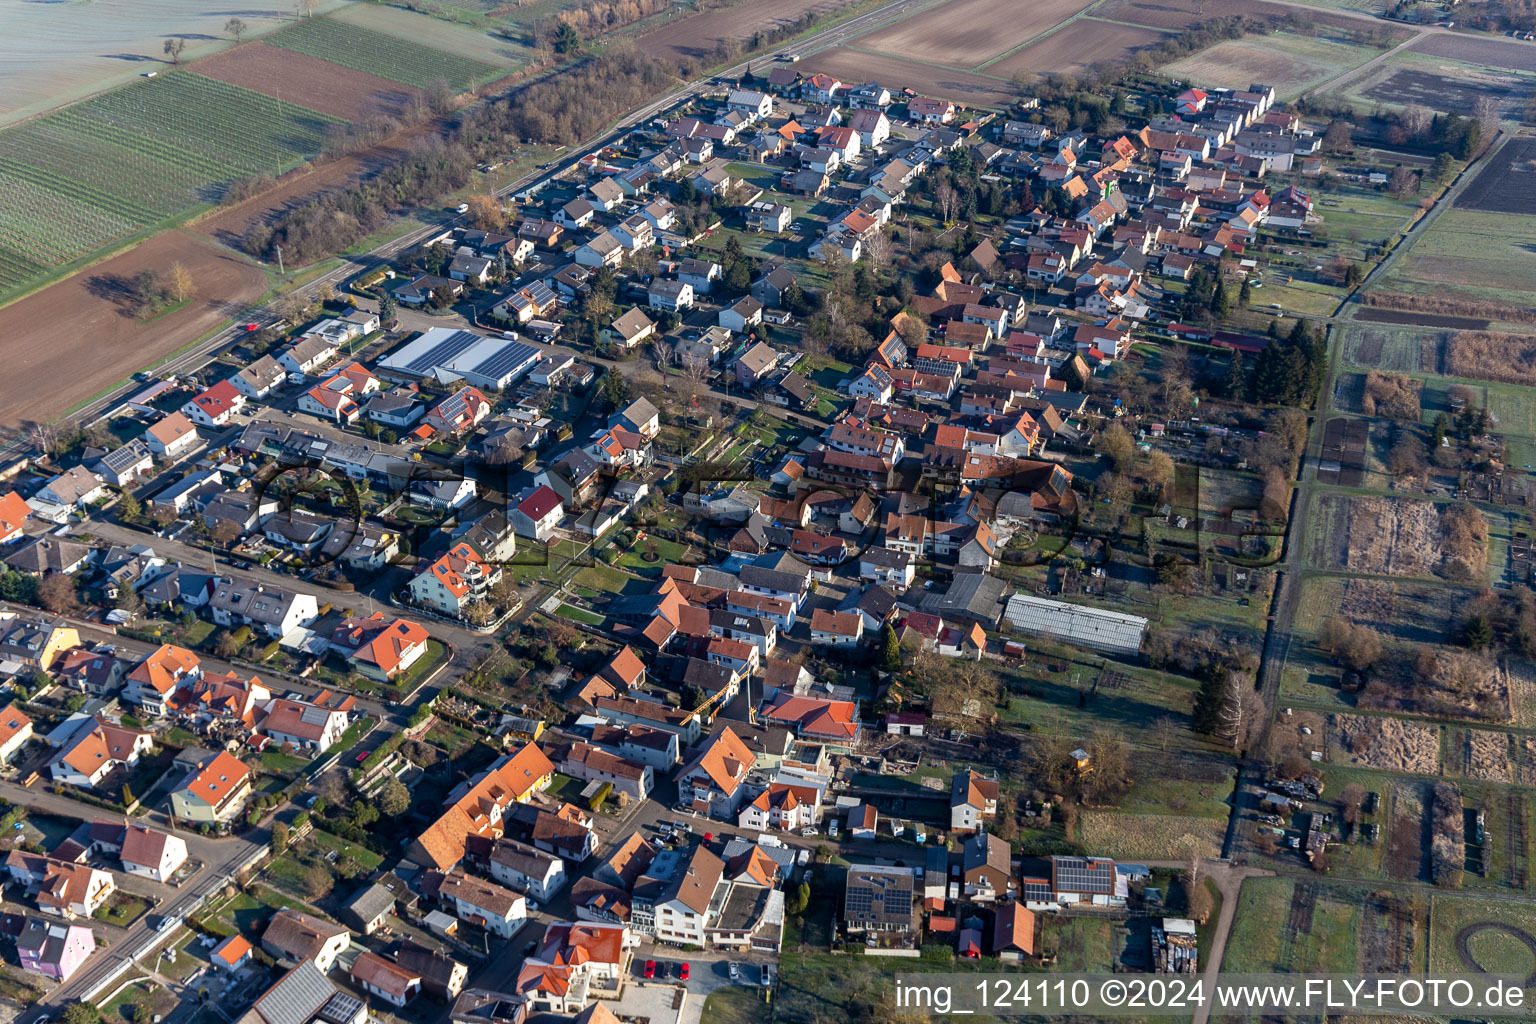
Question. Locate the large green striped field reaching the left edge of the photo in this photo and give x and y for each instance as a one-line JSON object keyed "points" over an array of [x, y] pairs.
{"points": [[101, 171]]}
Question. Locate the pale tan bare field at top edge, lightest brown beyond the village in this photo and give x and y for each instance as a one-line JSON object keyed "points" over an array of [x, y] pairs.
{"points": [[968, 33]]}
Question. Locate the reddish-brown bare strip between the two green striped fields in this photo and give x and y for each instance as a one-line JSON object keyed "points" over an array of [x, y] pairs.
{"points": [[322, 85]]}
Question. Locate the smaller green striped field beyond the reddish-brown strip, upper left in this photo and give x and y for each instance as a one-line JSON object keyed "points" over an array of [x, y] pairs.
{"points": [[385, 56]]}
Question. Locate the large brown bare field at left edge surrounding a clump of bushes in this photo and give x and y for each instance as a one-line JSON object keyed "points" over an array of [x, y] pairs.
{"points": [[73, 340]]}
